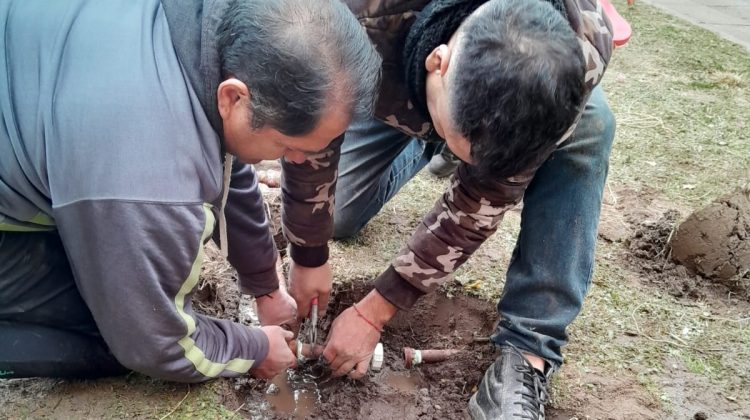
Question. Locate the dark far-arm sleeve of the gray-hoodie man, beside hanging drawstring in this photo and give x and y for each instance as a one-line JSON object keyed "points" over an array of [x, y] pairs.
{"points": [[252, 251]]}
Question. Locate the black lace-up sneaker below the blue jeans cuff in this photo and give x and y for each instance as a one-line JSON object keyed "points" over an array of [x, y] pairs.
{"points": [[511, 389]]}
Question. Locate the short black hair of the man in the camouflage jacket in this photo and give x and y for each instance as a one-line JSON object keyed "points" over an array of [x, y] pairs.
{"points": [[518, 84]]}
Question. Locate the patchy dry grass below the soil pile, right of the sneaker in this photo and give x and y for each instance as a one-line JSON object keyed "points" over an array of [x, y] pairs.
{"points": [[628, 328]]}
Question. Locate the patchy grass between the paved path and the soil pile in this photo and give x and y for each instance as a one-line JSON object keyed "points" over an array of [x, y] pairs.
{"points": [[682, 100]]}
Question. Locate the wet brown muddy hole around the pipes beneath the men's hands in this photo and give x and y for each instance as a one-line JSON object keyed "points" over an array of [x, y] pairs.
{"points": [[439, 390]]}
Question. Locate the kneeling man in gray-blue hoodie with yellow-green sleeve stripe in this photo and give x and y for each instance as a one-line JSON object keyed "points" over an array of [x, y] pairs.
{"points": [[120, 123]]}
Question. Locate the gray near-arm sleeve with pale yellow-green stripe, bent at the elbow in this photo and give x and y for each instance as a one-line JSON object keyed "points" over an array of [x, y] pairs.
{"points": [[136, 265]]}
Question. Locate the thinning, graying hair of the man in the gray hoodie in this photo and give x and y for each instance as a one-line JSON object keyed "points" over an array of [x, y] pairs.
{"points": [[296, 57]]}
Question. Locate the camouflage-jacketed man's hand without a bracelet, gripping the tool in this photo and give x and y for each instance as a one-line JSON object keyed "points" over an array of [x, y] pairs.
{"points": [[307, 283]]}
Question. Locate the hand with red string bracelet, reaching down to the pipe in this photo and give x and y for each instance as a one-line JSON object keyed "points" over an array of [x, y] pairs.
{"points": [[351, 340]]}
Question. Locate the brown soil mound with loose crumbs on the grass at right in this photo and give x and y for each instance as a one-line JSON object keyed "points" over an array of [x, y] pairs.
{"points": [[707, 255]]}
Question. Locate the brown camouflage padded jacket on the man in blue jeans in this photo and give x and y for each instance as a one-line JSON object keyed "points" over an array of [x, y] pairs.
{"points": [[469, 211]]}
